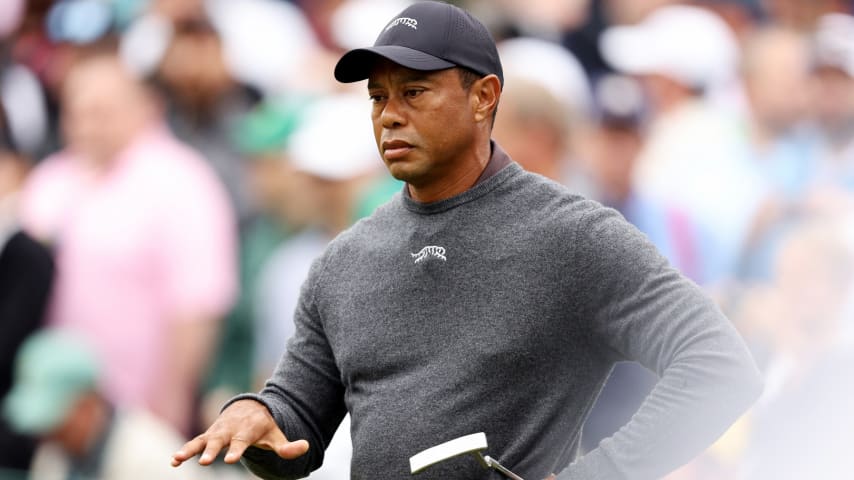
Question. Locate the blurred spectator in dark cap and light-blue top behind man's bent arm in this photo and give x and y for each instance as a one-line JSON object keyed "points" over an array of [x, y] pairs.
{"points": [[615, 142]]}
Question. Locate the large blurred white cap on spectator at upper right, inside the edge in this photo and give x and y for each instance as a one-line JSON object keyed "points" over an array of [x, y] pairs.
{"points": [[689, 44]]}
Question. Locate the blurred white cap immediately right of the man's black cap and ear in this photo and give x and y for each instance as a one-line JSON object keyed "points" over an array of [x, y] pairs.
{"points": [[549, 65]]}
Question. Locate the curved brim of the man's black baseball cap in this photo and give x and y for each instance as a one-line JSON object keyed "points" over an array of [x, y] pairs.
{"points": [[356, 64]]}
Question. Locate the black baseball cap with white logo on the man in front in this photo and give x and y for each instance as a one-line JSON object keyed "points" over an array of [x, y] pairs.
{"points": [[427, 36]]}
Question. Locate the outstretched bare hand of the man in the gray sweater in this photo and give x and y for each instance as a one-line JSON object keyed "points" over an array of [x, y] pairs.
{"points": [[243, 424]]}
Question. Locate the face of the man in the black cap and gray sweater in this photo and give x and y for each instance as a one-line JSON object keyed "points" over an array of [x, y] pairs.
{"points": [[424, 123]]}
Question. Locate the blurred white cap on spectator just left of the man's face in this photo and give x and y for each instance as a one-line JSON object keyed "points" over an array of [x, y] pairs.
{"points": [[335, 139]]}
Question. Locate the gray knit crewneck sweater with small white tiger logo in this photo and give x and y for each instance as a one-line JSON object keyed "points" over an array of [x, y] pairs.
{"points": [[501, 310]]}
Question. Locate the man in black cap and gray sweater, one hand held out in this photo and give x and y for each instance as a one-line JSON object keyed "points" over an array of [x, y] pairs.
{"points": [[483, 298]]}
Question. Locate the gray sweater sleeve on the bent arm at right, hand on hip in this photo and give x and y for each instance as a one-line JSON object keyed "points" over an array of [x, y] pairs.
{"points": [[643, 310]]}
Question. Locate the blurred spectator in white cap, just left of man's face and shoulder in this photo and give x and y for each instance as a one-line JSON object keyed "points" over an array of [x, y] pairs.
{"points": [[334, 179]]}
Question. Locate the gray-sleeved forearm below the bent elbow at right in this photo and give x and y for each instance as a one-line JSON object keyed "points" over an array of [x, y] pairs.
{"points": [[693, 403]]}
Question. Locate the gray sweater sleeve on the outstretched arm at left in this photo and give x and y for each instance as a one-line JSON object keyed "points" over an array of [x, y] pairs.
{"points": [[304, 394]]}
